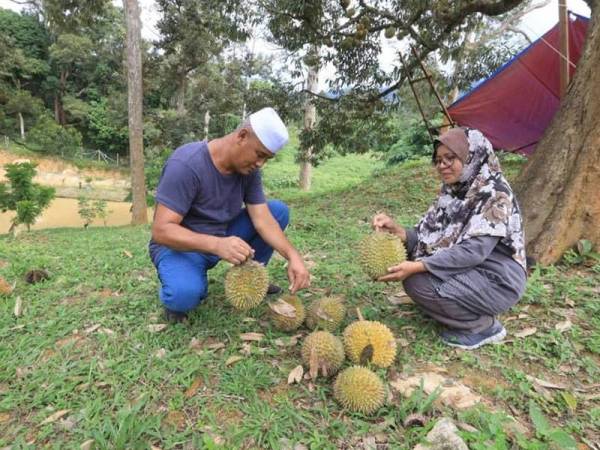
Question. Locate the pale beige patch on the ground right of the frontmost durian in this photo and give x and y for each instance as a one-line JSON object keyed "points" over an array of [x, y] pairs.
{"points": [[452, 394]]}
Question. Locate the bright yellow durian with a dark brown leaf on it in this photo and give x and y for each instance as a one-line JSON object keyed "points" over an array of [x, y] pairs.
{"points": [[369, 341]]}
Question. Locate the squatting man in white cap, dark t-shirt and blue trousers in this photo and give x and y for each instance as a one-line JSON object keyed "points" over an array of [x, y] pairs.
{"points": [[199, 218]]}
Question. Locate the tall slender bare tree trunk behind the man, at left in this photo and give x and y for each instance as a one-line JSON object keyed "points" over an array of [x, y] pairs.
{"points": [[134, 102]]}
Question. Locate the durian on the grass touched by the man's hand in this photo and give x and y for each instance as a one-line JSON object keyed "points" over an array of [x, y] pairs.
{"points": [[246, 285]]}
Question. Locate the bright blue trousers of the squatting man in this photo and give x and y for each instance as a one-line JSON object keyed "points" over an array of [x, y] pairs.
{"points": [[182, 275]]}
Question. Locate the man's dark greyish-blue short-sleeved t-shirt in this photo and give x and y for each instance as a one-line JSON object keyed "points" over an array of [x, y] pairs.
{"points": [[191, 185]]}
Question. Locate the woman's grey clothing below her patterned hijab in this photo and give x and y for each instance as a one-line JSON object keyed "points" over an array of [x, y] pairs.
{"points": [[468, 301]]}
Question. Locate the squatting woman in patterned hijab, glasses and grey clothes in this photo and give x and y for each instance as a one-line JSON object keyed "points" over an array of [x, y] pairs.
{"points": [[467, 253]]}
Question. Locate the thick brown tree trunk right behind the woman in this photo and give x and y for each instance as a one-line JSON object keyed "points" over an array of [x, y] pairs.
{"points": [[558, 188]]}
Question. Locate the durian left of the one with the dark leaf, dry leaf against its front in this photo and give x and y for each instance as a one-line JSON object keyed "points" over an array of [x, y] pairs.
{"points": [[323, 353]]}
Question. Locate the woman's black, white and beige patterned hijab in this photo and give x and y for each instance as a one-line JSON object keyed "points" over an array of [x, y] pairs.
{"points": [[481, 203]]}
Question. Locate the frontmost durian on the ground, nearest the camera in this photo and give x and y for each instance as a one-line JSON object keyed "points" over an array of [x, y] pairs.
{"points": [[359, 389]]}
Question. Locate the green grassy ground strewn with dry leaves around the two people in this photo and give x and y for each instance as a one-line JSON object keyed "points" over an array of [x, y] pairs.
{"points": [[125, 387]]}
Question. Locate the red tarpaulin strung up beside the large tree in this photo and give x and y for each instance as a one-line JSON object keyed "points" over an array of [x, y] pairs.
{"points": [[515, 105]]}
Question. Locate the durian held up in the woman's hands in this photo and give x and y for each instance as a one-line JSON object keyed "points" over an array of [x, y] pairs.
{"points": [[379, 251]]}
